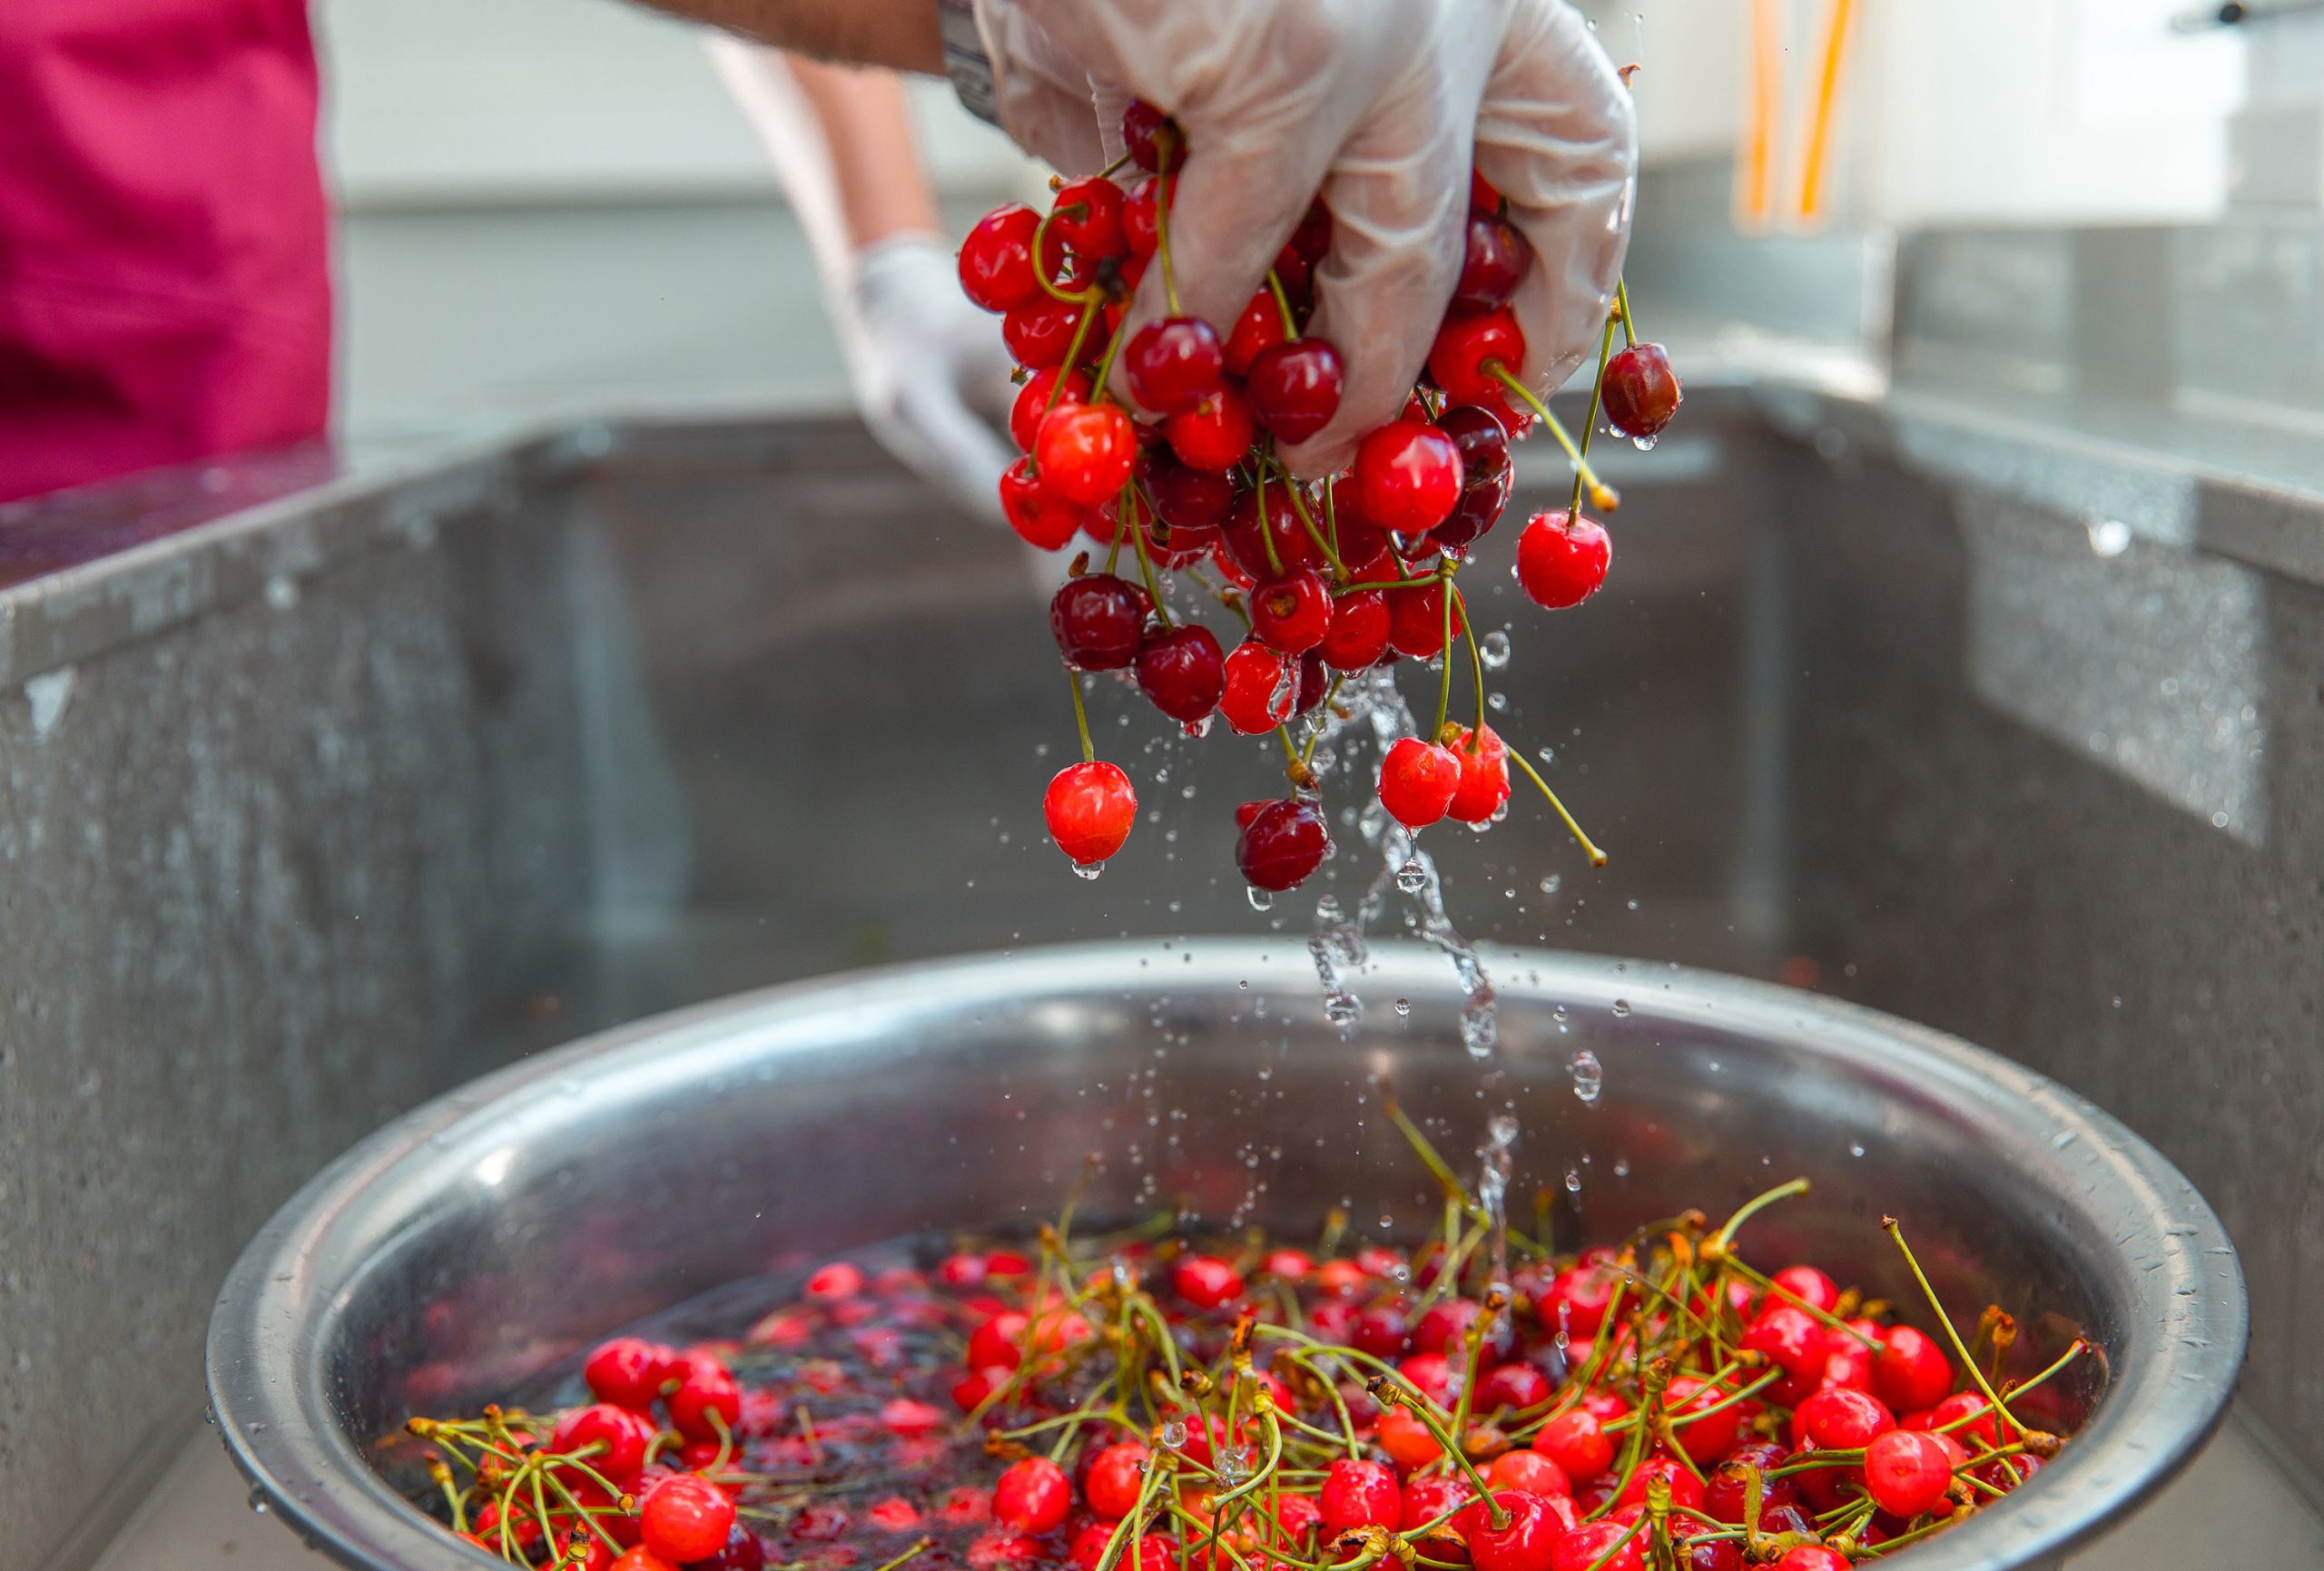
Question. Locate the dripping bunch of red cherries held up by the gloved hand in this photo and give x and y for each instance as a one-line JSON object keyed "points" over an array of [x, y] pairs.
{"points": [[1326, 580]]}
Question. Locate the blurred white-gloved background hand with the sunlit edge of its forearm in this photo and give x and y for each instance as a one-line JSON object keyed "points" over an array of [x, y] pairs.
{"points": [[924, 364]]}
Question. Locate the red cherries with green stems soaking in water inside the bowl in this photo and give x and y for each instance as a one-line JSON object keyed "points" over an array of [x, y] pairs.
{"points": [[1235, 1405]]}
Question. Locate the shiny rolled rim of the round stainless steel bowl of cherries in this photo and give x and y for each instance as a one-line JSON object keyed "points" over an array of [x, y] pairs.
{"points": [[268, 1342]]}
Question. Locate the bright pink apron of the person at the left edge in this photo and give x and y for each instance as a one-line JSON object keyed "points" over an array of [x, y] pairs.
{"points": [[164, 257]]}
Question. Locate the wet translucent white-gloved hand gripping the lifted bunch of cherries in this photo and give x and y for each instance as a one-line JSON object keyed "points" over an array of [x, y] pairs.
{"points": [[1382, 108]]}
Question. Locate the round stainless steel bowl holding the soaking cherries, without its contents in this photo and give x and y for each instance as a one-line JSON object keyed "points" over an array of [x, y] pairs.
{"points": [[496, 1231]]}
